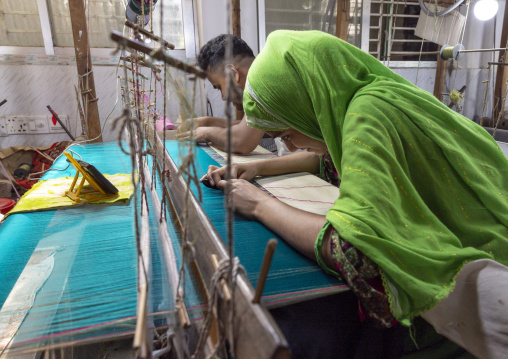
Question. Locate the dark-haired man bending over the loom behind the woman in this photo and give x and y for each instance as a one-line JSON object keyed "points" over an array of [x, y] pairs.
{"points": [[213, 130]]}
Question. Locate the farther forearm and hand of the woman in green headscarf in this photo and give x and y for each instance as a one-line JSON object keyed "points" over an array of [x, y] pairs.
{"points": [[298, 162]]}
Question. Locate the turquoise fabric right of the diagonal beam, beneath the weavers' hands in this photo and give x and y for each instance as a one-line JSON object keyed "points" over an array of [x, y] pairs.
{"points": [[291, 277]]}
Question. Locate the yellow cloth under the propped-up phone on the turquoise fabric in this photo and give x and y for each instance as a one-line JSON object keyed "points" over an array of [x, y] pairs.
{"points": [[50, 194]]}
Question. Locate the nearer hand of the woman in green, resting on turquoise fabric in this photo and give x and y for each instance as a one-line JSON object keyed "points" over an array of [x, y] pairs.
{"points": [[245, 197]]}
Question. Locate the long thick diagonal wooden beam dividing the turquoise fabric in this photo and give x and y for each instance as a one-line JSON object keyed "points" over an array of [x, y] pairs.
{"points": [[256, 333]]}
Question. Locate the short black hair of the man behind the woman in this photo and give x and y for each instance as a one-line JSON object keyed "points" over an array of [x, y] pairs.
{"points": [[214, 51]]}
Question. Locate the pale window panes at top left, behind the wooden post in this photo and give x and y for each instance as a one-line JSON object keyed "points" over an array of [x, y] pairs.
{"points": [[20, 21]]}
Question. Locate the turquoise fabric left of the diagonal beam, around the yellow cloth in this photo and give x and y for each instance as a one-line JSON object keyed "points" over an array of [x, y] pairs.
{"points": [[92, 290]]}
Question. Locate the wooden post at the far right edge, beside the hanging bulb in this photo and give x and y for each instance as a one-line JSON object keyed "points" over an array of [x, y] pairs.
{"points": [[501, 76]]}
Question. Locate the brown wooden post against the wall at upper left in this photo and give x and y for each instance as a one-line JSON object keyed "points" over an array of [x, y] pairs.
{"points": [[84, 65]]}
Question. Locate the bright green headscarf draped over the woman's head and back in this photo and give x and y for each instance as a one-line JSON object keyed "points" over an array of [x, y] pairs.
{"points": [[423, 189]]}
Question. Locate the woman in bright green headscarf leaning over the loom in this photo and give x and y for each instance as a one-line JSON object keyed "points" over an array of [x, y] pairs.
{"points": [[421, 224]]}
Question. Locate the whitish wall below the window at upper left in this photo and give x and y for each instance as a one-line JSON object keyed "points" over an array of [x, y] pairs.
{"points": [[30, 88]]}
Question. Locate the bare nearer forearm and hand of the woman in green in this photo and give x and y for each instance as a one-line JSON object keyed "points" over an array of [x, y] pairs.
{"points": [[297, 227]]}
